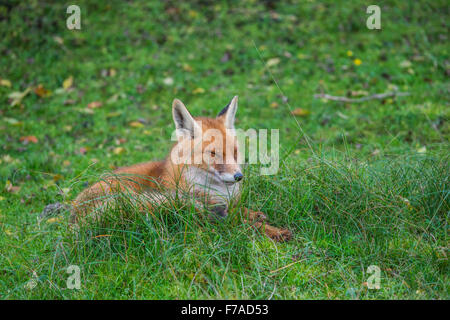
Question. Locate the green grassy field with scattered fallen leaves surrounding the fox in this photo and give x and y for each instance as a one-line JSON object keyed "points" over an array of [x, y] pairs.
{"points": [[359, 184]]}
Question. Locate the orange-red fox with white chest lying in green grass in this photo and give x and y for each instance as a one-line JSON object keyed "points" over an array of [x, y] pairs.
{"points": [[206, 170]]}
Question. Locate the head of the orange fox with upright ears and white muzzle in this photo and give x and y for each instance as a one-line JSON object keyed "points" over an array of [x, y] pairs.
{"points": [[208, 144]]}
